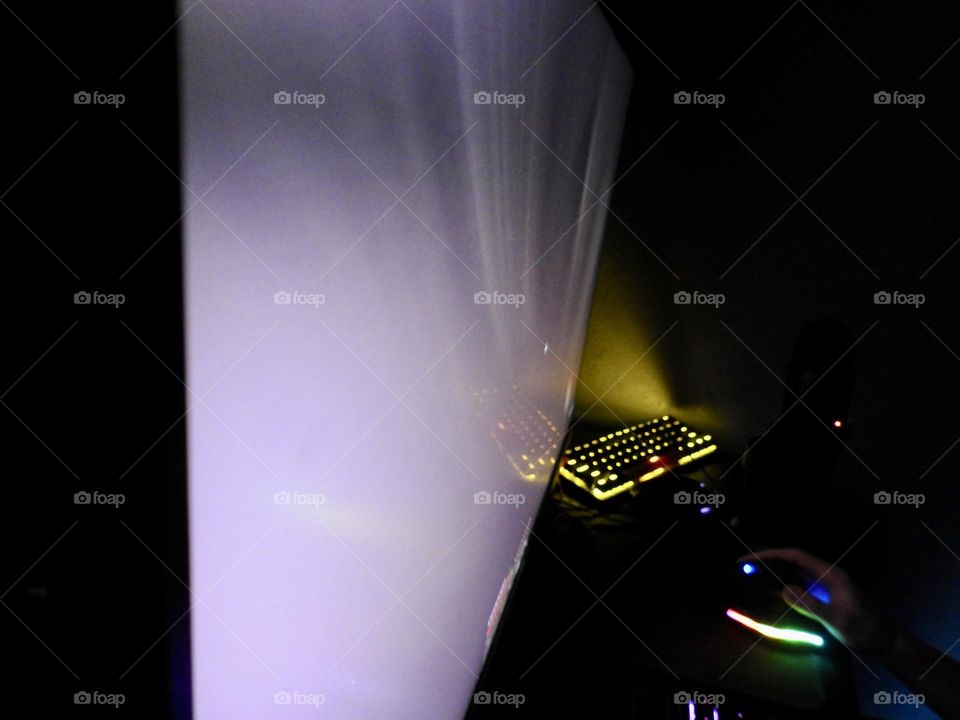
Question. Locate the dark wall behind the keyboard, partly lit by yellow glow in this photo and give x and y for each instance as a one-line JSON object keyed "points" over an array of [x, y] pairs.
{"points": [[707, 200]]}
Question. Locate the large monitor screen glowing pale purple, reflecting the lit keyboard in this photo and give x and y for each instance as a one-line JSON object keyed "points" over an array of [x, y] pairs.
{"points": [[387, 288]]}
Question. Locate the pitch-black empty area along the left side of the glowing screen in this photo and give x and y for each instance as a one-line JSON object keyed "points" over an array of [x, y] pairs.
{"points": [[91, 393]]}
